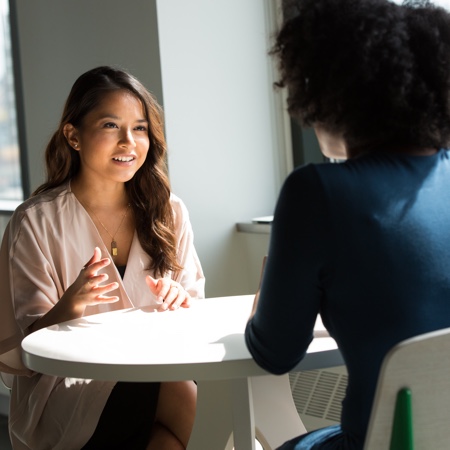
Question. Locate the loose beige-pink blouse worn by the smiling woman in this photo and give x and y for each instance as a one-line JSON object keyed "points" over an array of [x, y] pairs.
{"points": [[47, 242]]}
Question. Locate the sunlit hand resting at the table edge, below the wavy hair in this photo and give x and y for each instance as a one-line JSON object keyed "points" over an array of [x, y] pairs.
{"points": [[169, 293]]}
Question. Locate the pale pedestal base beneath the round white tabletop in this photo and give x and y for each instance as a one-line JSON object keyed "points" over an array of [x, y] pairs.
{"points": [[231, 413]]}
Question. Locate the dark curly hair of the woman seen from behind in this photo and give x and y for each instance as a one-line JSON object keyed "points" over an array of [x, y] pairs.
{"points": [[371, 71]]}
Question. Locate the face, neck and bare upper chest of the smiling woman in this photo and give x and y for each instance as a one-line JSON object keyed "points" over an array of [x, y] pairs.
{"points": [[112, 142]]}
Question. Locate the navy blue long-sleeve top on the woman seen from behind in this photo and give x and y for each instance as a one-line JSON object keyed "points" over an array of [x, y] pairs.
{"points": [[365, 243]]}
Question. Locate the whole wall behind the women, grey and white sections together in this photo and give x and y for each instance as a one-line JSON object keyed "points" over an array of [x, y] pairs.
{"points": [[208, 66]]}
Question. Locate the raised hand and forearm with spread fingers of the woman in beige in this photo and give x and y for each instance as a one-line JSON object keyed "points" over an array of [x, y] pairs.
{"points": [[86, 290]]}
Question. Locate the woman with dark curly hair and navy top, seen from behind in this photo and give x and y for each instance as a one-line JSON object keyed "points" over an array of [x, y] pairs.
{"points": [[363, 242]]}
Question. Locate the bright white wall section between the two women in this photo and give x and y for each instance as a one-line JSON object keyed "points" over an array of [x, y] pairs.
{"points": [[224, 161]]}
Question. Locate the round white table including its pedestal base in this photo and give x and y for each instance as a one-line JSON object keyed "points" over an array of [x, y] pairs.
{"points": [[204, 343]]}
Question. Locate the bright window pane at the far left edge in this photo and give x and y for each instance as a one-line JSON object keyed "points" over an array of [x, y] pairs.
{"points": [[11, 187]]}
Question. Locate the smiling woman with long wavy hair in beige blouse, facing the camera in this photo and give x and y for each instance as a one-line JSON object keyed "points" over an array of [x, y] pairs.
{"points": [[104, 232]]}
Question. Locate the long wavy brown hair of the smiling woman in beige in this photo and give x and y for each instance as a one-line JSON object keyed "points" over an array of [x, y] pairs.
{"points": [[149, 189]]}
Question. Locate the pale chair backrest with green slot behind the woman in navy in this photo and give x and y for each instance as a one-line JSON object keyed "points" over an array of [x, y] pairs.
{"points": [[417, 370]]}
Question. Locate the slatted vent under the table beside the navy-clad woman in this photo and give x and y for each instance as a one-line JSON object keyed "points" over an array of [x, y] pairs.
{"points": [[318, 395]]}
